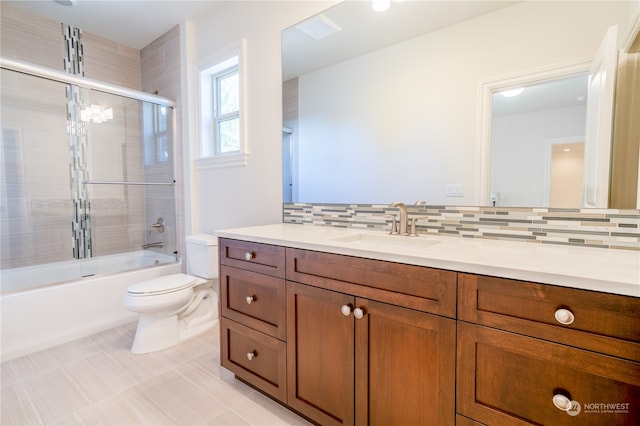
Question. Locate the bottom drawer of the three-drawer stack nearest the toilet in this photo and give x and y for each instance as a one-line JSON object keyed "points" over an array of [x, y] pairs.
{"points": [[254, 357]]}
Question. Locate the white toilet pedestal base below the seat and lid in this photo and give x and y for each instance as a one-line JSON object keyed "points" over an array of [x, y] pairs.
{"points": [[157, 331]]}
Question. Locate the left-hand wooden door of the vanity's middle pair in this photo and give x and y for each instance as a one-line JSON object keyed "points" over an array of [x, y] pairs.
{"points": [[320, 354]]}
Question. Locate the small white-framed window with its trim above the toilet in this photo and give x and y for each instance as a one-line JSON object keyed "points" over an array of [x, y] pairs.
{"points": [[221, 93]]}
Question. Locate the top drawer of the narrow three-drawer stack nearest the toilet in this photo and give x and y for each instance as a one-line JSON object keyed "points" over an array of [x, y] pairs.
{"points": [[263, 258]]}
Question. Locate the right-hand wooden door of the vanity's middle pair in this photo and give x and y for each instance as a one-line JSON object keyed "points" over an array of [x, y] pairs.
{"points": [[405, 366]]}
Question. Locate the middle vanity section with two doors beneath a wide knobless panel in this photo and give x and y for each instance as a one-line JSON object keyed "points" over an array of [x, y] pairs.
{"points": [[355, 360]]}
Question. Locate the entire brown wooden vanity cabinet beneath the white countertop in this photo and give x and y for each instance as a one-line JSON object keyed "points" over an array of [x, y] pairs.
{"points": [[346, 340]]}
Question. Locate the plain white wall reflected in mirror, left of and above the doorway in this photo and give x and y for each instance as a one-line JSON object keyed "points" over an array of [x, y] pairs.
{"points": [[427, 138]]}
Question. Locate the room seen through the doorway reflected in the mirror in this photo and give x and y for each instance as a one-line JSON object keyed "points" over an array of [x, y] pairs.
{"points": [[537, 135]]}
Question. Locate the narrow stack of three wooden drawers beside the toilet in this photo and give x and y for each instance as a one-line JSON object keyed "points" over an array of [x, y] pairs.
{"points": [[252, 311]]}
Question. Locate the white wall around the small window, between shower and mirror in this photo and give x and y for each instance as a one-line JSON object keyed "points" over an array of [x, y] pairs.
{"points": [[250, 195]]}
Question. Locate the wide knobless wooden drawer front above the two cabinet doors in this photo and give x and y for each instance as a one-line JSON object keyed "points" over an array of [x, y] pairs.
{"points": [[416, 287]]}
